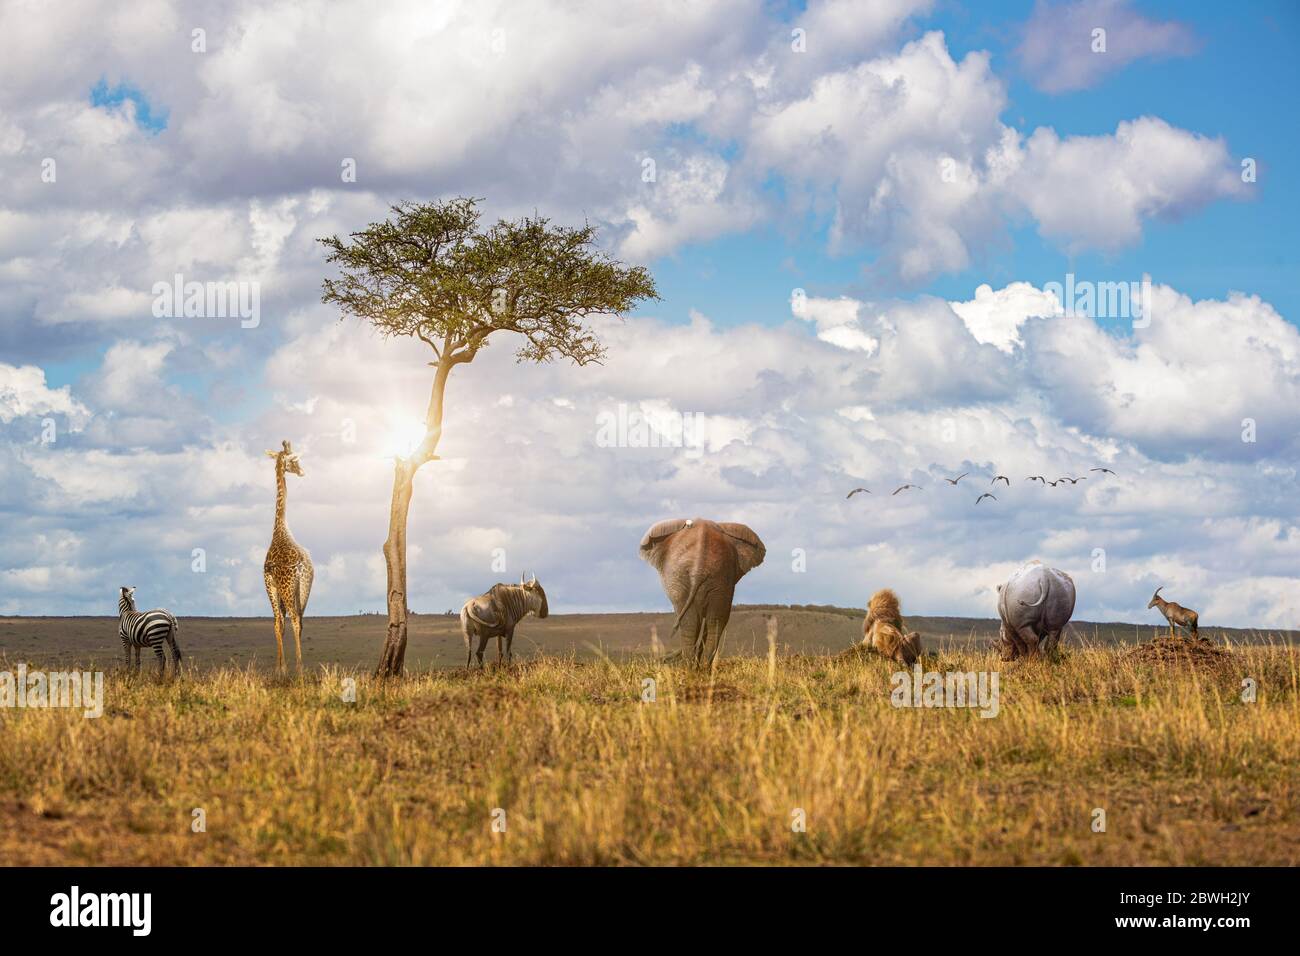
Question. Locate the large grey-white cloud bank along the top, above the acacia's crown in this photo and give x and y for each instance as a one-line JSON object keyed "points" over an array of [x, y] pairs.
{"points": [[903, 150]]}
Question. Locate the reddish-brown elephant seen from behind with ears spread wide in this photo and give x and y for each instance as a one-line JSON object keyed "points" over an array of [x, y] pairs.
{"points": [[699, 563]]}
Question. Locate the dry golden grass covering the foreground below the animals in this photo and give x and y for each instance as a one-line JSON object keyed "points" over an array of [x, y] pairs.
{"points": [[710, 773]]}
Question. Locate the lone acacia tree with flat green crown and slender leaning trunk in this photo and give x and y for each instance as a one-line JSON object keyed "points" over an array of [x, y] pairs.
{"points": [[430, 272]]}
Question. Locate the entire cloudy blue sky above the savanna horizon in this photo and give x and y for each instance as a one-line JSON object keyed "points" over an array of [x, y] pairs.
{"points": [[818, 171]]}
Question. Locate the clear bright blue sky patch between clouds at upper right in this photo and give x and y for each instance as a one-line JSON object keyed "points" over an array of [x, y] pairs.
{"points": [[1240, 86]]}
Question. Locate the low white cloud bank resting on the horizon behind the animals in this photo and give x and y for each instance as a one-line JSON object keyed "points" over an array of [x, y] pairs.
{"points": [[792, 422]]}
